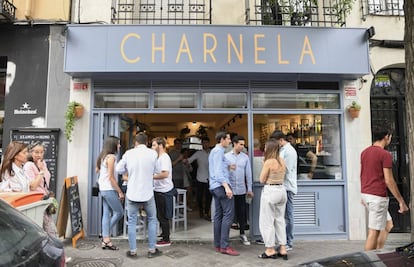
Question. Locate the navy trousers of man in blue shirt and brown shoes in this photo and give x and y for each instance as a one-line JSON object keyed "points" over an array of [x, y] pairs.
{"points": [[223, 217]]}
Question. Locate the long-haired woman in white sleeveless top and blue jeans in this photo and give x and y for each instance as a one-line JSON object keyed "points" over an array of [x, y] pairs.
{"points": [[111, 194]]}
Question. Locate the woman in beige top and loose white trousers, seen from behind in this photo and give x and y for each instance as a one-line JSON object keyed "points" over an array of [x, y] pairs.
{"points": [[273, 202]]}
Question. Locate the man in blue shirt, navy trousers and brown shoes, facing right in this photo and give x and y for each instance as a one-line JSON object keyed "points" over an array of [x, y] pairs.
{"points": [[222, 193]]}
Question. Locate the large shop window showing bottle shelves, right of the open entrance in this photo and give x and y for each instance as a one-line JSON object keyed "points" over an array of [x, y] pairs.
{"points": [[316, 138]]}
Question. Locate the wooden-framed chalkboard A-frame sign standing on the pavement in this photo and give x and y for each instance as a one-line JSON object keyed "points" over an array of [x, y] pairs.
{"points": [[70, 204]]}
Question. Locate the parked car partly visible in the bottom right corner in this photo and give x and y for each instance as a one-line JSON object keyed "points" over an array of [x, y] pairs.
{"points": [[402, 256]]}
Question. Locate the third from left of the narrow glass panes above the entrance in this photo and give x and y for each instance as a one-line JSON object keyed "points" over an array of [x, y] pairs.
{"points": [[225, 100]]}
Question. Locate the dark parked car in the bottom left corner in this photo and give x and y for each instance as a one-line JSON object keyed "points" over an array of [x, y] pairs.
{"points": [[24, 243]]}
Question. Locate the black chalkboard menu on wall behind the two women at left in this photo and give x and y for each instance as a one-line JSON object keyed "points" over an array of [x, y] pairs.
{"points": [[50, 139]]}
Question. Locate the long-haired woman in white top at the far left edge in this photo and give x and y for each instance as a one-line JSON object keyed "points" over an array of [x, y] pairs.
{"points": [[13, 178]]}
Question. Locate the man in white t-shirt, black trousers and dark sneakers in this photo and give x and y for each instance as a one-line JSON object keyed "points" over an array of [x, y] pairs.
{"points": [[163, 190]]}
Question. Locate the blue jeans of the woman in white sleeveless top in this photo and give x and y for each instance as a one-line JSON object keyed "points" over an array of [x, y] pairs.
{"points": [[111, 204]]}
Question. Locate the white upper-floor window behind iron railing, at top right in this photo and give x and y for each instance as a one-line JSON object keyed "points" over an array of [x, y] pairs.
{"points": [[384, 7]]}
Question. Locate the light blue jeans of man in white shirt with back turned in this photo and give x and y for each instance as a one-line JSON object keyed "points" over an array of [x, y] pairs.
{"points": [[133, 208]]}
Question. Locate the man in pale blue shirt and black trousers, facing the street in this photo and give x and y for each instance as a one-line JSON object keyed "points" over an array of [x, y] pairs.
{"points": [[241, 181]]}
